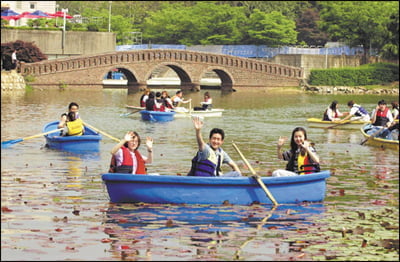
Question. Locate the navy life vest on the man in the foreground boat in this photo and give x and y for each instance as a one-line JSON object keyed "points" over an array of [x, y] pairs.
{"points": [[207, 167]]}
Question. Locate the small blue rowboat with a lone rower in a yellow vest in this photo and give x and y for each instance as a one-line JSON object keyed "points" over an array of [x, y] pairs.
{"points": [[88, 142]]}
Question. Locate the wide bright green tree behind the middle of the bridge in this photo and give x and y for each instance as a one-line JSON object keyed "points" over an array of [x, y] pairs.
{"points": [[202, 23]]}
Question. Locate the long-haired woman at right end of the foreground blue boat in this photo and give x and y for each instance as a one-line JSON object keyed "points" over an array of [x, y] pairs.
{"points": [[302, 157]]}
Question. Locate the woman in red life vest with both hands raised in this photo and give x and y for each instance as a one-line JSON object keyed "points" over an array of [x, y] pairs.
{"points": [[126, 157]]}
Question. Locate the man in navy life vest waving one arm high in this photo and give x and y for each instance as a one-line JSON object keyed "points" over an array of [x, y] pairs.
{"points": [[211, 156]]}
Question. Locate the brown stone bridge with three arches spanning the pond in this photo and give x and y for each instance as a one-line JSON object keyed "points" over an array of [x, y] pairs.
{"points": [[190, 66]]}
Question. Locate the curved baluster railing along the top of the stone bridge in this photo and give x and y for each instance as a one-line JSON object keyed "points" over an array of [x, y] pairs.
{"points": [[123, 57]]}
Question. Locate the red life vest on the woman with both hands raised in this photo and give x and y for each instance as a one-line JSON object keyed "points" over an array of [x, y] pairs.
{"points": [[127, 163]]}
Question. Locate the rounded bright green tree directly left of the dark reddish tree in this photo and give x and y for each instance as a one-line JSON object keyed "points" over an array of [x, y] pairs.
{"points": [[271, 29]]}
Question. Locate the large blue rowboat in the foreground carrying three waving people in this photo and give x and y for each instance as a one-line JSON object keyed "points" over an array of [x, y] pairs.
{"points": [[166, 189]]}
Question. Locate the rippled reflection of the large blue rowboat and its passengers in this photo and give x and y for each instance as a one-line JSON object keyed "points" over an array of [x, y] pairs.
{"points": [[136, 230]]}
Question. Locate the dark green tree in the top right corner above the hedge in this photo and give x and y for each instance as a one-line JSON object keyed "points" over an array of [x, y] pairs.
{"points": [[358, 22]]}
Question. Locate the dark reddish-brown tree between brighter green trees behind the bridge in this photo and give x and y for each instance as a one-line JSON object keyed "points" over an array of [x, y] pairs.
{"points": [[307, 28]]}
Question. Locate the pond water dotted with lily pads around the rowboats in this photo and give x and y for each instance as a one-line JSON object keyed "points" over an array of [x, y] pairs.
{"points": [[55, 206]]}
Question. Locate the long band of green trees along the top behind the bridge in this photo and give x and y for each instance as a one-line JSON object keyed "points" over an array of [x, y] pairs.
{"points": [[372, 24]]}
